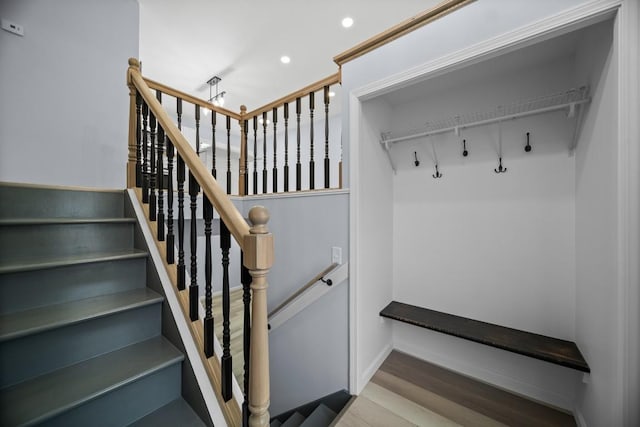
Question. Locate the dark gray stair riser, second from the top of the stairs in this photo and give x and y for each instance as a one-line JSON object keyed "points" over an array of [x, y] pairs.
{"points": [[31, 241]]}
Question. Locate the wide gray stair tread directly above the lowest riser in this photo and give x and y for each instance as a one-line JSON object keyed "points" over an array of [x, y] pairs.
{"points": [[43, 397]]}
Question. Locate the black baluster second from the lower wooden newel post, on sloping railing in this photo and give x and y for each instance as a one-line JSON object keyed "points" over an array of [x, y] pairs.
{"points": [[227, 370]]}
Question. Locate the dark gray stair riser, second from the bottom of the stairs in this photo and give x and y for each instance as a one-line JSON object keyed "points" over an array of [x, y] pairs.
{"points": [[33, 355]]}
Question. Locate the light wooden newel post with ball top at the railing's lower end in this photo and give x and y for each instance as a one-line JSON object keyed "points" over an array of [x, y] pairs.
{"points": [[258, 258]]}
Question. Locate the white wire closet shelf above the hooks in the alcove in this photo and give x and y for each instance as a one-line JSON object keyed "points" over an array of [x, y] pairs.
{"points": [[570, 100]]}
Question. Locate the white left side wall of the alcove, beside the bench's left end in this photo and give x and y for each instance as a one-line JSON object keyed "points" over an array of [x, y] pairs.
{"points": [[372, 268]]}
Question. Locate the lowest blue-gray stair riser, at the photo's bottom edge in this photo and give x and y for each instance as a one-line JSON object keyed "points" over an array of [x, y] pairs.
{"points": [[125, 404]]}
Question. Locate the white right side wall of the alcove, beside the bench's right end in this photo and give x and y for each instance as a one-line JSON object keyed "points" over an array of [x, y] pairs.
{"points": [[596, 233]]}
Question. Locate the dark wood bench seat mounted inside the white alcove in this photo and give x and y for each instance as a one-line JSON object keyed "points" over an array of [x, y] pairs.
{"points": [[553, 350]]}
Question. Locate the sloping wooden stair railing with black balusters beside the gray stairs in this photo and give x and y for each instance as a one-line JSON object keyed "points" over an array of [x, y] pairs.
{"points": [[153, 136]]}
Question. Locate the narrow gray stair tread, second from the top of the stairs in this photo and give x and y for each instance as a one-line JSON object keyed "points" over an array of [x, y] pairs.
{"points": [[54, 262]]}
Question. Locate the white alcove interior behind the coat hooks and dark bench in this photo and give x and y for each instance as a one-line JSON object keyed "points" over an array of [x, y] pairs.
{"points": [[511, 248]]}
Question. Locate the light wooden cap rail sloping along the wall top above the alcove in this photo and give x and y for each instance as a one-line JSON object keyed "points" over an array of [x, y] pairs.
{"points": [[399, 30]]}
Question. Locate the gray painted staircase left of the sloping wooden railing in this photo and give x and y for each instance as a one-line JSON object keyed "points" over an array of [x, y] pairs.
{"points": [[80, 333]]}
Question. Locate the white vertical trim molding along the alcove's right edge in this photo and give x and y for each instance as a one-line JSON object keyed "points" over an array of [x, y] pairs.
{"points": [[629, 211]]}
